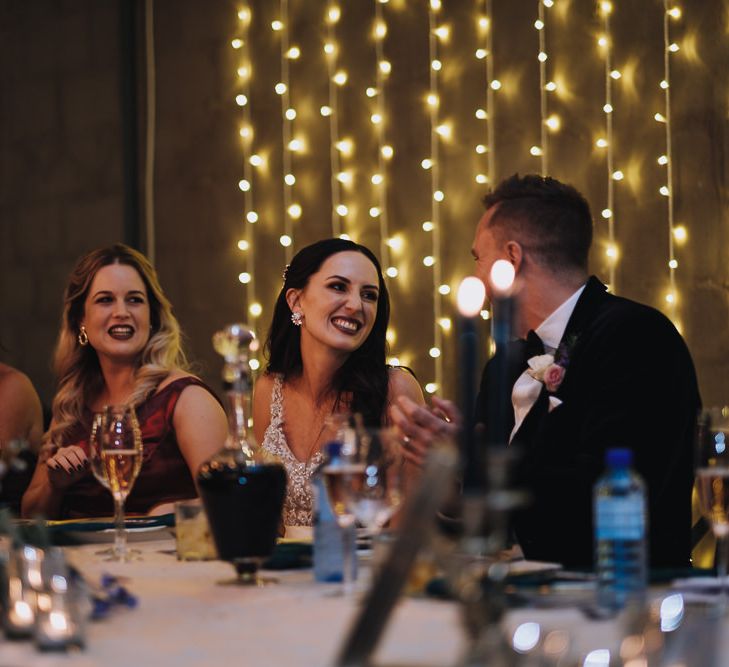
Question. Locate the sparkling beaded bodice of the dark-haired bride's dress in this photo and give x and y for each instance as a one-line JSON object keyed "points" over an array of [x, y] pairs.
{"points": [[298, 503]]}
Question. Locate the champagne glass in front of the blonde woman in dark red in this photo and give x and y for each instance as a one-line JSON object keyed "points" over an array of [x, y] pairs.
{"points": [[115, 447]]}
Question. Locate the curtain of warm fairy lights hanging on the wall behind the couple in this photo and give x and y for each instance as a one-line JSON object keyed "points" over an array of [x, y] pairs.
{"points": [[386, 121]]}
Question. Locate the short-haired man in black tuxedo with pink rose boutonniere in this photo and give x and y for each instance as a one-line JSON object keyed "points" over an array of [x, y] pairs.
{"points": [[622, 377]]}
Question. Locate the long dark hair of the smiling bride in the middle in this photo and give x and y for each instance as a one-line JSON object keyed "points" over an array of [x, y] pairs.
{"points": [[364, 376]]}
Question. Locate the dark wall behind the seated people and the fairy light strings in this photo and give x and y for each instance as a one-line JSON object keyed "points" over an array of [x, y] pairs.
{"points": [[63, 156]]}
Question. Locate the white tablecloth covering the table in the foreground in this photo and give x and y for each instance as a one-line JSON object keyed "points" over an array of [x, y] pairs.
{"points": [[185, 618]]}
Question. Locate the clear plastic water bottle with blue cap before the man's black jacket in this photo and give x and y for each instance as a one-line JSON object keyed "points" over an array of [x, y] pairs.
{"points": [[620, 532]]}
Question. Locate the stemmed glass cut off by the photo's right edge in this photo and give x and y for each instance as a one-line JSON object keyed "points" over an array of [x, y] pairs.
{"points": [[712, 483]]}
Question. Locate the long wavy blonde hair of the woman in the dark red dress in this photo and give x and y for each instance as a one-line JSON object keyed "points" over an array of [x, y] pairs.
{"points": [[77, 367]]}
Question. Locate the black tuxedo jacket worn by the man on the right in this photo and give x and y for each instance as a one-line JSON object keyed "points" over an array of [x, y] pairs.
{"points": [[629, 382]]}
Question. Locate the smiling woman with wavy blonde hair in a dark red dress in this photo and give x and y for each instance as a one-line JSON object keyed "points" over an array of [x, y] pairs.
{"points": [[120, 344]]}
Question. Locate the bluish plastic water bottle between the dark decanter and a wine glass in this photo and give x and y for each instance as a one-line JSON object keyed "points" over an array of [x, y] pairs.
{"points": [[328, 541]]}
